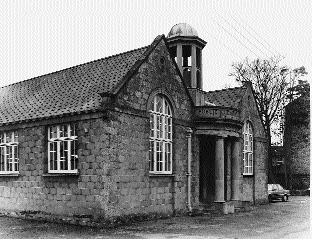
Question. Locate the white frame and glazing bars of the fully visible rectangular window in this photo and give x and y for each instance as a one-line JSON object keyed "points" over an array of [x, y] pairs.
{"points": [[57, 140]]}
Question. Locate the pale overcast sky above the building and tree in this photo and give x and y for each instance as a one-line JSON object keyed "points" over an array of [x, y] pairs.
{"points": [[38, 37]]}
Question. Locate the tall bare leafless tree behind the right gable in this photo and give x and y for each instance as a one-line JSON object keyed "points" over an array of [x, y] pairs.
{"points": [[270, 81]]}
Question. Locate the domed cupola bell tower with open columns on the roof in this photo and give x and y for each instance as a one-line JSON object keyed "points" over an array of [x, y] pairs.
{"points": [[186, 48]]}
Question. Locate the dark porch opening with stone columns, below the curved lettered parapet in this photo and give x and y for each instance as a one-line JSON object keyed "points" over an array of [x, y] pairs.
{"points": [[219, 173]]}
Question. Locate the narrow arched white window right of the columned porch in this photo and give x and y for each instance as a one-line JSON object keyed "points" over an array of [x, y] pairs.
{"points": [[248, 149]]}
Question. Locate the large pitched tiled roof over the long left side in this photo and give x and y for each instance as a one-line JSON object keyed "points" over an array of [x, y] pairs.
{"points": [[72, 90]]}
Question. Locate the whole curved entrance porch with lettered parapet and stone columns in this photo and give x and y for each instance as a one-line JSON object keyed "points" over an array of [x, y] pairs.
{"points": [[219, 129]]}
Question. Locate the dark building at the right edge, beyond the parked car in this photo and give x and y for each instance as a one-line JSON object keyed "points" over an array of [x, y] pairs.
{"points": [[297, 143]]}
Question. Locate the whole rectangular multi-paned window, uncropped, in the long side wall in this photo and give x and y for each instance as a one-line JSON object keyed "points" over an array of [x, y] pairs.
{"points": [[62, 153]]}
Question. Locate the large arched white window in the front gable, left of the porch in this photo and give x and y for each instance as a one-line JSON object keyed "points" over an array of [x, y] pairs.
{"points": [[160, 152]]}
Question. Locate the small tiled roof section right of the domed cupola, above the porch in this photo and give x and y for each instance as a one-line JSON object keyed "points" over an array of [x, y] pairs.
{"points": [[227, 97]]}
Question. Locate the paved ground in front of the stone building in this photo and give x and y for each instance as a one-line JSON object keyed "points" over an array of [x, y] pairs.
{"points": [[276, 220]]}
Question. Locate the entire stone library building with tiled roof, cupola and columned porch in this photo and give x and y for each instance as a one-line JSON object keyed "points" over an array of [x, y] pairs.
{"points": [[131, 133]]}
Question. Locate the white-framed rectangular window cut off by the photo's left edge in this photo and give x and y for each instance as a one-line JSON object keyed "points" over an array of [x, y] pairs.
{"points": [[11, 164]]}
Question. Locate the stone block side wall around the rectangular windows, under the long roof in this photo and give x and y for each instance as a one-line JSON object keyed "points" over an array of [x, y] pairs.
{"points": [[36, 190]]}
